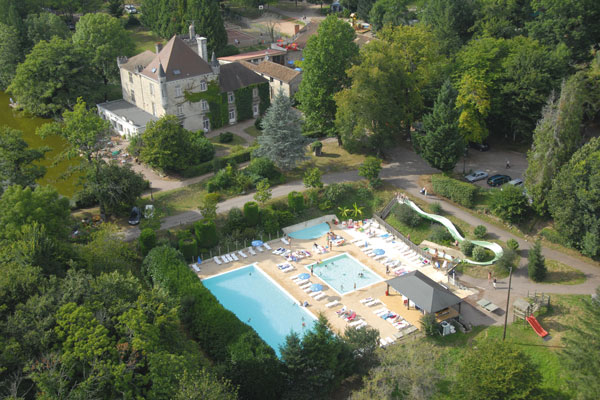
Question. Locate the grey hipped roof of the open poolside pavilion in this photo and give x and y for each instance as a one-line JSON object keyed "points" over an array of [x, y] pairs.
{"points": [[424, 292]]}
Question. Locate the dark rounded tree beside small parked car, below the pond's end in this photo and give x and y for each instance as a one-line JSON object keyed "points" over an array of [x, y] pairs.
{"points": [[115, 187]]}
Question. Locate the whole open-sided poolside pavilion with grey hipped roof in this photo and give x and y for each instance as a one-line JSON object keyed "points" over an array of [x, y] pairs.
{"points": [[422, 293]]}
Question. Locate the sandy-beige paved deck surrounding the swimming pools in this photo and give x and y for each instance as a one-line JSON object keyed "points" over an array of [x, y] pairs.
{"points": [[268, 261]]}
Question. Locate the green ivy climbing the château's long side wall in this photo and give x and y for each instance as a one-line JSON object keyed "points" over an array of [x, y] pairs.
{"points": [[219, 106]]}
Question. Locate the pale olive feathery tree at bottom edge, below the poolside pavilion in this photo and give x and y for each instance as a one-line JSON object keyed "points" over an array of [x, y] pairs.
{"points": [[400, 372]]}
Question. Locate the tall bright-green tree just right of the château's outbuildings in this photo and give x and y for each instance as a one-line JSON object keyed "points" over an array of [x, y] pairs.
{"points": [[327, 56]]}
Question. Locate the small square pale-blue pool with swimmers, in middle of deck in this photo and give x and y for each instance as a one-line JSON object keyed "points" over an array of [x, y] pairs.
{"points": [[343, 271]]}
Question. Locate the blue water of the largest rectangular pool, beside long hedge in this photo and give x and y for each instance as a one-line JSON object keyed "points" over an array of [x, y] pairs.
{"points": [[256, 300]]}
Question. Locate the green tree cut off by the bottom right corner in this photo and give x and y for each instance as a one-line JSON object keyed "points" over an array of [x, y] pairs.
{"points": [[582, 346]]}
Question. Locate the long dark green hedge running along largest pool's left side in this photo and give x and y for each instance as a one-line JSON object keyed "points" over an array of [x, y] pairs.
{"points": [[220, 334]]}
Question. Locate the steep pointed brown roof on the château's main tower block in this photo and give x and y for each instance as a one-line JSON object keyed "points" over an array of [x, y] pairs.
{"points": [[178, 61]]}
